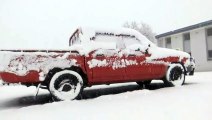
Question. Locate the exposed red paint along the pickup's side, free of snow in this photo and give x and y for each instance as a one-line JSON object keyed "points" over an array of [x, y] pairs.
{"points": [[104, 74]]}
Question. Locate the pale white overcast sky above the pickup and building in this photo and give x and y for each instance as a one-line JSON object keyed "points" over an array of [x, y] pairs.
{"points": [[49, 23]]}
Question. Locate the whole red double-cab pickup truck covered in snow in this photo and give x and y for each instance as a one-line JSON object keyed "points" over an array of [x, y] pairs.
{"points": [[95, 56]]}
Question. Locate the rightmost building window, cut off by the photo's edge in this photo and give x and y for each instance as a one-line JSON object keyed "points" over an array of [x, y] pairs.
{"points": [[209, 42]]}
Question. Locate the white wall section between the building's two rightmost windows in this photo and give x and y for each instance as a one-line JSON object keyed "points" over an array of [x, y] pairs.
{"points": [[199, 50]]}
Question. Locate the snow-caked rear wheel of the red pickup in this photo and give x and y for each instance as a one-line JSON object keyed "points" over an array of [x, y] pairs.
{"points": [[66, 85]]}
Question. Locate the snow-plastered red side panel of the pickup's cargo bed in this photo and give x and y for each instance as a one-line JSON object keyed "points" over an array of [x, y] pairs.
{"points": [[35, 65]]}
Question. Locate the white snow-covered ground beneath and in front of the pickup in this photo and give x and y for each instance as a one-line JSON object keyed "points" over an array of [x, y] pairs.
{"points": [[127, 101]]}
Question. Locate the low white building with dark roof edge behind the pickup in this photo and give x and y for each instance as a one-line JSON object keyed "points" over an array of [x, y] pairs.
{"points": [[195, 39]]}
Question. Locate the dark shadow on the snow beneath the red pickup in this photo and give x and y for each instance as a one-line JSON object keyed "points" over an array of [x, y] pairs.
{"points": [[87, 94]]}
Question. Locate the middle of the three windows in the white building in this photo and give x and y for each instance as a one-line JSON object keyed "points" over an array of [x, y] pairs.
{"points": [[186, 43]]}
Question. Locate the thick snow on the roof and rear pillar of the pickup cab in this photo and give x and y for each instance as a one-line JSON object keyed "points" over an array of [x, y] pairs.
{"points": [[88, 34]]}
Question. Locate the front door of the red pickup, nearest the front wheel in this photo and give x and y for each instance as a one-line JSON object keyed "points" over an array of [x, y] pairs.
{"points": [[141, 66]]}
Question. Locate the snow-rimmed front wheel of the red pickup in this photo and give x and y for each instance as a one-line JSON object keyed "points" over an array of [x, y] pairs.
{"points": [[175, 75]]}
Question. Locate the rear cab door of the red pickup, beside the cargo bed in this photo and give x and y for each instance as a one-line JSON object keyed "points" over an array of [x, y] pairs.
{"points": [[107, 66]]}
